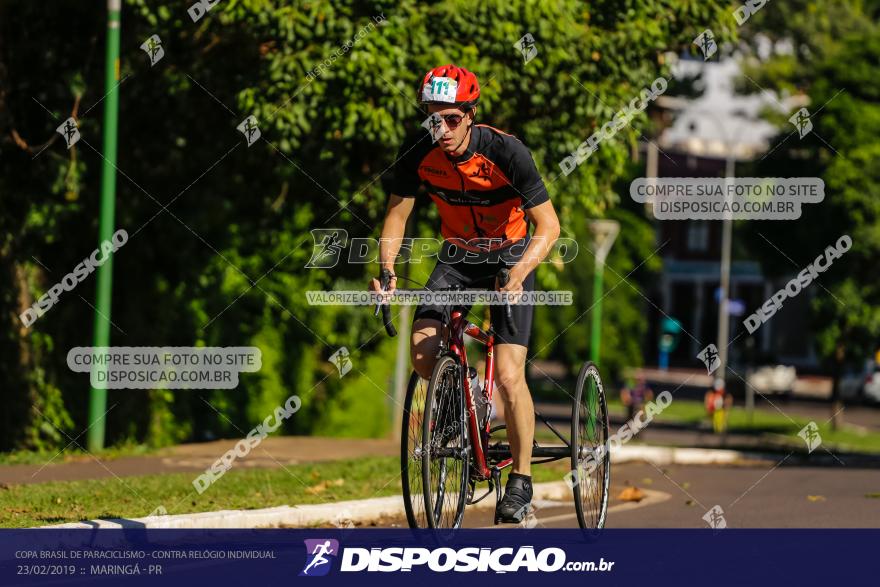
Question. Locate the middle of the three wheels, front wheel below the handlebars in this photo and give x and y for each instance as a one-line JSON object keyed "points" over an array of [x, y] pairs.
{"points": [[446, 453]]}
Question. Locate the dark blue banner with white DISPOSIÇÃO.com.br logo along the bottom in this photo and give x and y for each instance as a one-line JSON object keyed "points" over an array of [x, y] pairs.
{"points": [[421, 558]]}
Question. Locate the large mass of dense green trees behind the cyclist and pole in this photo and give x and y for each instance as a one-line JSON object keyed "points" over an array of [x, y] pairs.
{"points": [[219, 232]]}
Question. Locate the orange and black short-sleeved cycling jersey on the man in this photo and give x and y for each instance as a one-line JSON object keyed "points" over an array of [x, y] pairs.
{"points": [[480, 195]]}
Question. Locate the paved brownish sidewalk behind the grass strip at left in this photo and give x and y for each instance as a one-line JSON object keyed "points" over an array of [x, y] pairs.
{"points": [[272, 452]]}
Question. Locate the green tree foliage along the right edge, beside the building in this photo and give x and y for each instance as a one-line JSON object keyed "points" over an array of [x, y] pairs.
{"points": [[833, 61]]}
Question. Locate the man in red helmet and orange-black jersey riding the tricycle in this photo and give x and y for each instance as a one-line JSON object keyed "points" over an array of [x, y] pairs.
{"points": [[488, 191]]}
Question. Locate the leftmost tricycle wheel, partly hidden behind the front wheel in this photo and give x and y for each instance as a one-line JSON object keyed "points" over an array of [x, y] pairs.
{"points": [[411, 452]]}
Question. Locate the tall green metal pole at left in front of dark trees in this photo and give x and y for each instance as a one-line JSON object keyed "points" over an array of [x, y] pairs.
{"points": [[98, 397]]}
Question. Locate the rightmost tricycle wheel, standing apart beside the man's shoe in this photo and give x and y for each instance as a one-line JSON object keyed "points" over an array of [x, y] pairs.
{"points": [[590, 459]]}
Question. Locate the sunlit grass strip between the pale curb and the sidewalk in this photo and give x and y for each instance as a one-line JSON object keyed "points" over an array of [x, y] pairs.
{"points": [[240, 488]]}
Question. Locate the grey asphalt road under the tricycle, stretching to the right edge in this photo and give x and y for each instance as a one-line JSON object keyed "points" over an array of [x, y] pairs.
{"points": [[750, 497]]}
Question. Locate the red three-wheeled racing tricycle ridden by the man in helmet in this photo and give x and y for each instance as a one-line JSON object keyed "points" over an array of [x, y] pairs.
{"points": [[447, 445]]}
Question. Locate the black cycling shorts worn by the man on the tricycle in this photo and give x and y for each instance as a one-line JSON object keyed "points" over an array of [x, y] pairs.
{"points": [[481, 276]]}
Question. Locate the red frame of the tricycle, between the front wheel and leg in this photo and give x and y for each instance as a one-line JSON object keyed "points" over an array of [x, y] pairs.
{"points": [[458, 327]]}
